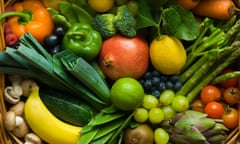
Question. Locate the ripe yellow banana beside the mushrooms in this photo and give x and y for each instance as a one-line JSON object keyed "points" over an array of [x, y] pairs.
{"points": [[45, 124]]}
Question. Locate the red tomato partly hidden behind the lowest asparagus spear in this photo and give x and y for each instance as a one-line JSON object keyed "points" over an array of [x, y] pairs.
{"points": [[230, 82]]}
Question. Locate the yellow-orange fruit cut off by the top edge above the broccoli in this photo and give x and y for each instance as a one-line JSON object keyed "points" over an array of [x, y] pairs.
{"points": [[101, 5]]}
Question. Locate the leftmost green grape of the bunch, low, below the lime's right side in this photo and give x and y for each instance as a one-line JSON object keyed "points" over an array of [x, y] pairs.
{"points": [[140, 115]]}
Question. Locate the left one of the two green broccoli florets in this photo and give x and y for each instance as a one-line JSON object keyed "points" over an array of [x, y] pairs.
{"points": [[103, 23]]}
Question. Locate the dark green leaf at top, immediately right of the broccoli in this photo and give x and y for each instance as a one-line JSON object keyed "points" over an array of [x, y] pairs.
{"points": [[145, 18]]}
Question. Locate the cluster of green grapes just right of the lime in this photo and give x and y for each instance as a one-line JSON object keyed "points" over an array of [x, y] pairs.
{"points": [[155, 110]]}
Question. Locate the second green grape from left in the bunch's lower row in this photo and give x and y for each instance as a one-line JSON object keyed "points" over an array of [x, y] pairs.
{"points": [[155, 115]]}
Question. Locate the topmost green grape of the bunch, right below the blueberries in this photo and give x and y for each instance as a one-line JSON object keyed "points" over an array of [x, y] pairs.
{"points": [[166, 97]]}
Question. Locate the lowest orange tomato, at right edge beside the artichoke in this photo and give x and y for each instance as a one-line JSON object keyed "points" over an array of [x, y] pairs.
{"points": [[230, 118]]}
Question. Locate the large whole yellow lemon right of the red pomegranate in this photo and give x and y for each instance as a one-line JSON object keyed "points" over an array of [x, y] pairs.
{"points": [[167, 55]]}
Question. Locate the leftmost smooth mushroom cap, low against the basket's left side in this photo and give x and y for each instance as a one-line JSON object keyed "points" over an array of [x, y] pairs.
{"points": [[10, 121]]}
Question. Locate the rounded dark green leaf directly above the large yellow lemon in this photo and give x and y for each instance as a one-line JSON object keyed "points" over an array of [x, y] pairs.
{"points": [[171, 20]]}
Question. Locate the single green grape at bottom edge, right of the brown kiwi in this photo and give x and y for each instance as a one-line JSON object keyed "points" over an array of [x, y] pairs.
{"points": [[161, 136]]}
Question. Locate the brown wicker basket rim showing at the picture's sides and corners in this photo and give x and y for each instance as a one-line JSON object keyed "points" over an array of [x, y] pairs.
{"points": [[8, 138]]}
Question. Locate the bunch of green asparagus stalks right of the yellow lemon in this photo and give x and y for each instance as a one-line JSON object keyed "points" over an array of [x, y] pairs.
{"points": [[216, 48]]}
